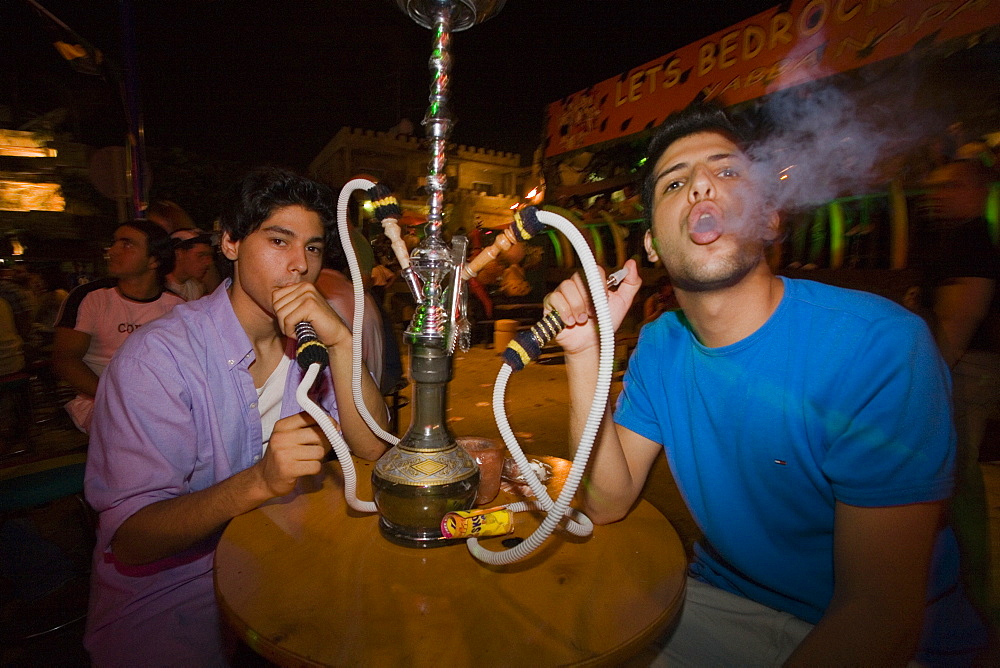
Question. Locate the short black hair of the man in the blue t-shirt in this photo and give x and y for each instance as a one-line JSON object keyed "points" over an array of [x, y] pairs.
{"points": [[693, 119]]}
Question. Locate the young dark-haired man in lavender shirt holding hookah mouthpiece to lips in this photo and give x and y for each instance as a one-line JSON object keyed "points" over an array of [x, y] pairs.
{"points": [[196, 422]]}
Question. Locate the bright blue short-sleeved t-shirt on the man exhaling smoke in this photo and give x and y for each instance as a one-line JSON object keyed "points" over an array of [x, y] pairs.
{"points": [[840, 396]]}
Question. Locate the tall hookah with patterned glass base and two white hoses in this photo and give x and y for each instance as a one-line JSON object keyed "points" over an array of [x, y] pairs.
{"points": [[425, 474]]}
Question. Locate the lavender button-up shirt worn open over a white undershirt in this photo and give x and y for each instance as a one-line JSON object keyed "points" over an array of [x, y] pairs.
{"points": [[176, 412]]}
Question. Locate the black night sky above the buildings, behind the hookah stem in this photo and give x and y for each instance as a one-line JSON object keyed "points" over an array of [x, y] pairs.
{"points": [[273, 80]]}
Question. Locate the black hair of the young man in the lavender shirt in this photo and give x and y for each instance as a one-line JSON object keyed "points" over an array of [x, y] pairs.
{"points": [[260, 193]]}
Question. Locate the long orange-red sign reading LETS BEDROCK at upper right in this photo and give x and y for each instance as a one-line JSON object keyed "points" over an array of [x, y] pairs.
{"points": [[770, 51]]}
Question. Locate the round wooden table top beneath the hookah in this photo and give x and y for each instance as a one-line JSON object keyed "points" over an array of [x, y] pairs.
{"points": [[311, 582]]}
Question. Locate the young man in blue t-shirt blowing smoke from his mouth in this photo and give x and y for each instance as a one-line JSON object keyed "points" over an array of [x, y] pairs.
{"points": [[808, 428]]}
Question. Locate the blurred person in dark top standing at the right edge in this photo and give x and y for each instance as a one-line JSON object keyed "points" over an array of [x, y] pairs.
{"points": [[962, 265]]}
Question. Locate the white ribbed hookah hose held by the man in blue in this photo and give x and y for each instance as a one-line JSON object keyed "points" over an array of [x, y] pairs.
{"points": [[557, 511]]}
